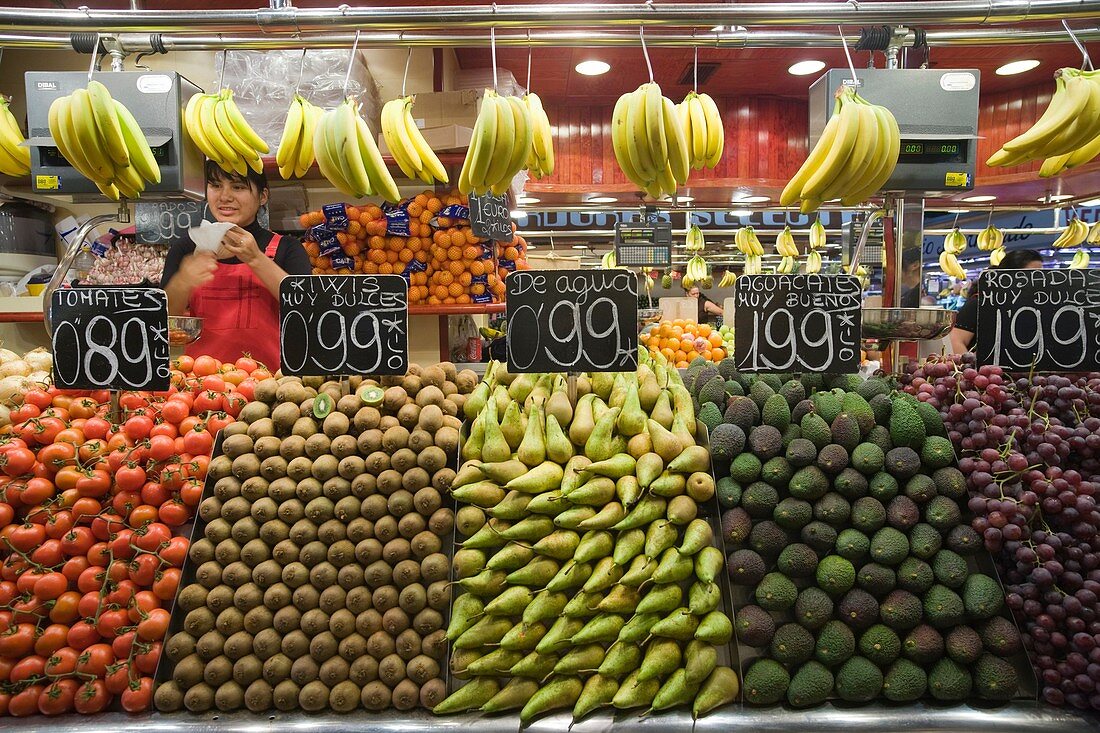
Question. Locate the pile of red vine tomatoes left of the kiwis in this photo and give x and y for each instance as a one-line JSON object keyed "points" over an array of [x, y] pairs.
{"points": [[93, 506]]}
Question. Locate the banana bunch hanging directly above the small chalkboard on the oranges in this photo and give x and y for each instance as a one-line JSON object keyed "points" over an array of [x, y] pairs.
{"points": [[501, 146]]}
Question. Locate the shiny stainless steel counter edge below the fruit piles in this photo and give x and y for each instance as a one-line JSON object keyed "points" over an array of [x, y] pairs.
{"points": [[921, 718]]}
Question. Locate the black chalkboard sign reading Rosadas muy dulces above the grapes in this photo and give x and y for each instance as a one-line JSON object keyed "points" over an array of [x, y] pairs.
{"points": [[1041, 320]]}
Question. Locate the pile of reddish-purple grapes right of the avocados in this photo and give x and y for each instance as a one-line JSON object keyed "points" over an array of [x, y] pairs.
{"points": [[1030, 450]]}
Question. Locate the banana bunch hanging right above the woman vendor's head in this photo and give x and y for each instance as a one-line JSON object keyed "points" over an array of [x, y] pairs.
{"points": [[222, 133]]}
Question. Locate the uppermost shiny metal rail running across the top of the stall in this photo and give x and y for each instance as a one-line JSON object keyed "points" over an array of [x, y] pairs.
{"points": [[299, 20]]}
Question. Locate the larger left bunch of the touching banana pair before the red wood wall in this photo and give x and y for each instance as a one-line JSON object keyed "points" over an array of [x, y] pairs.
{"points": [[650, 141]]}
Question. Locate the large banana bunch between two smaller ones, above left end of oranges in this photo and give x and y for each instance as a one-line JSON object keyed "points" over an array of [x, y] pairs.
{"points": [[348, 156]]}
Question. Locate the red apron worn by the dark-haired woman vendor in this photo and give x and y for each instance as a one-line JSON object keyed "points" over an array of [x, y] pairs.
{"points": [[239, 315]]}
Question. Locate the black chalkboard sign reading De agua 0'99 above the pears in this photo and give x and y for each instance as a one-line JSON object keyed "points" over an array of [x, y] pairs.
{"points": [[564, 321]]}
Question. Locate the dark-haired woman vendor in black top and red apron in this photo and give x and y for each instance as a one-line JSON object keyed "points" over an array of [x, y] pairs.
{"points": [[237, 297]]}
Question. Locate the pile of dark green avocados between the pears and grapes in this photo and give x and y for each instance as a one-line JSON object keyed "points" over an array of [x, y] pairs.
{"points": [[842, 513]]}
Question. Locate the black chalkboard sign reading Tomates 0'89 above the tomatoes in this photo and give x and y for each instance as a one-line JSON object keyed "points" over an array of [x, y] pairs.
{"points": [[111, 338]]}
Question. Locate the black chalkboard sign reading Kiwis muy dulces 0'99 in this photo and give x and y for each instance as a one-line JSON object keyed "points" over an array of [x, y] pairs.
{"points": [[344, 325]]}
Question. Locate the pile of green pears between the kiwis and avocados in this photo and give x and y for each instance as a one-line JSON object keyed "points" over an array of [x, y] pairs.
{"points": [[587, 577]]}
